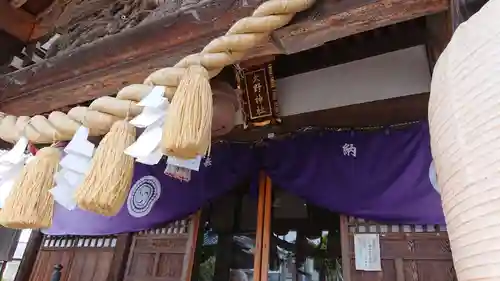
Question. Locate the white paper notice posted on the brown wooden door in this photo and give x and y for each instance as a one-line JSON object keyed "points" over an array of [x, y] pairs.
{"points": [[367, 252]]}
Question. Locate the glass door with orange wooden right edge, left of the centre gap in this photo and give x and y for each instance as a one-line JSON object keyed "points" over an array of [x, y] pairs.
{"points": [[229, 240]]}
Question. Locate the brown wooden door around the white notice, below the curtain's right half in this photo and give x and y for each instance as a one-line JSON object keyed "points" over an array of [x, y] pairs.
{"points": [[408, 252]]}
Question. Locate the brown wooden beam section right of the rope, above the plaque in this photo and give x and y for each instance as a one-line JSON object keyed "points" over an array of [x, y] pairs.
{"points": [[332, 20]]}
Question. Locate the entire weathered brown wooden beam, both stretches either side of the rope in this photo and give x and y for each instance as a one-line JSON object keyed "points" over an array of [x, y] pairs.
{"points": [[103, 67]]}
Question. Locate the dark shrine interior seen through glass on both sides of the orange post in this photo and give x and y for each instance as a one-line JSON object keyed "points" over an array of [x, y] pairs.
{"points": [[304, 239]]}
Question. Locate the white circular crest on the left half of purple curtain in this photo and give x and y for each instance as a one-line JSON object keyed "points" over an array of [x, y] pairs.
{"points": [[143, 195]]}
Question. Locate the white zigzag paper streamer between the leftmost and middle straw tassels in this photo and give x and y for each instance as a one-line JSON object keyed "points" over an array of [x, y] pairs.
{"points": [[73, 166]]}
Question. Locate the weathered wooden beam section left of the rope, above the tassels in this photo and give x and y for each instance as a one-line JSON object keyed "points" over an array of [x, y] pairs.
{"points": [[104, 66]]}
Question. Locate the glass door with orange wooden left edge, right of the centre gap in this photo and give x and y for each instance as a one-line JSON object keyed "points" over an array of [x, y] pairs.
{"points": [[301, 242]]}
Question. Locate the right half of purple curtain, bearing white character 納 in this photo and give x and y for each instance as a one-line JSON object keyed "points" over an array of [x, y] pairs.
{"points": [[381, 175]]}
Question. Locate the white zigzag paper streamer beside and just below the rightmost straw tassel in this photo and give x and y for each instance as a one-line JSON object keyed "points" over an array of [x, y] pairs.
{"points": [[147, 149]]}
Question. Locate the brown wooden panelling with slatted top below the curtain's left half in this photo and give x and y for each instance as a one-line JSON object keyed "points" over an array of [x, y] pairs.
{"points": [[164, 253]]}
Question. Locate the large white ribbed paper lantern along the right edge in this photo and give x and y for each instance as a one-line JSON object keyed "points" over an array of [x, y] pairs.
{"points": [[464, 118]]}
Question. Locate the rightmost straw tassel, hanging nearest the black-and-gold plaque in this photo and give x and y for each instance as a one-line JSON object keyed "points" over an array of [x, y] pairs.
{"points": [[187, 129]]}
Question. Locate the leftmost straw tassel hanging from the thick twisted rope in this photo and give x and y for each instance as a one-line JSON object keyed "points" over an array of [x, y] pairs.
{"points": [[29, 205]]}
